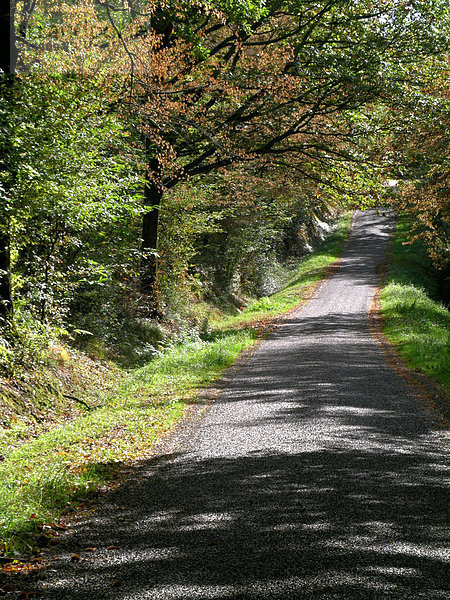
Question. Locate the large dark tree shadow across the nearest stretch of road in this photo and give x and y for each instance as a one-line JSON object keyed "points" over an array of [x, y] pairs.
{"points": [[347, 524]]}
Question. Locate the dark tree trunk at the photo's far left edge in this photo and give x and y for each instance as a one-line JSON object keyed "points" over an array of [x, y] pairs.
{"points": [[8, 59]]}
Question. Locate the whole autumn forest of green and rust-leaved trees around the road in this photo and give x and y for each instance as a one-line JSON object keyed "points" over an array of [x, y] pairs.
{"points": [[165, 162]]}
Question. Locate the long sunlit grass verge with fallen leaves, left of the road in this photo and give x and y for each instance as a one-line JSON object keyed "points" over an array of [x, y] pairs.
{"points": [[46, 476]]}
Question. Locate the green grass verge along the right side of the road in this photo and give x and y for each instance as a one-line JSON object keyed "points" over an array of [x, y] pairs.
{"points": [[414, 319]]}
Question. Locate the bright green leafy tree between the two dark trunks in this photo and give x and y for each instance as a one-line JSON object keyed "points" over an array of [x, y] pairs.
{"points": [[74, 197]]}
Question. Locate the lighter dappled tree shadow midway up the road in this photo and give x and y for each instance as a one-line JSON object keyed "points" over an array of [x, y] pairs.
{"points": [[335, 372]]}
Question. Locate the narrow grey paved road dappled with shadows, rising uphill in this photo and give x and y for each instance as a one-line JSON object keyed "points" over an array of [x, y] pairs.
{"points": [[315, 475]]}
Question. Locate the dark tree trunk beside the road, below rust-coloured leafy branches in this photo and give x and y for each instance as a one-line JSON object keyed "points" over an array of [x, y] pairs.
{"points": [[152, 199]]}
